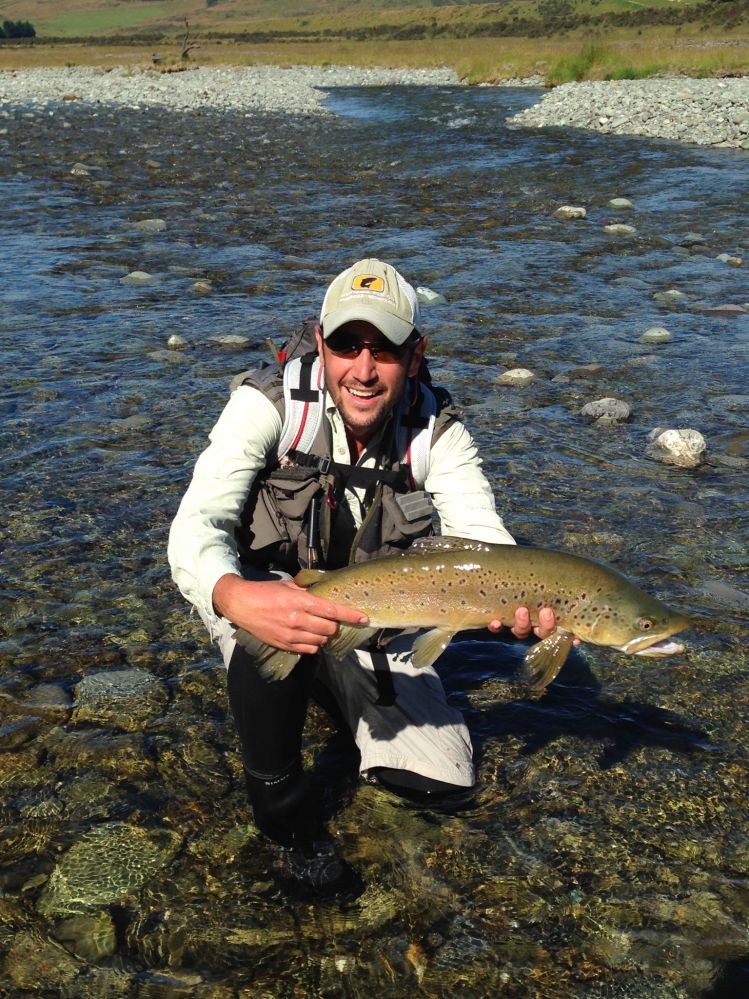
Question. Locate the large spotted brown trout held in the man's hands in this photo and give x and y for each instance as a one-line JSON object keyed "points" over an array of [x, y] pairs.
{"points": [[447, 585]]}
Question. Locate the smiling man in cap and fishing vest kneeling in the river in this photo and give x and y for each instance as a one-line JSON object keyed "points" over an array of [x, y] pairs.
{"points": [[349, 463]]}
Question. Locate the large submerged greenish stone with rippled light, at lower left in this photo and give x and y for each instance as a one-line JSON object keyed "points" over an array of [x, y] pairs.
{"points": [[108, 865]]}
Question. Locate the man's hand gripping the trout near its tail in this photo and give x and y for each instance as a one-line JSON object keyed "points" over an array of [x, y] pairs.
{"points": [[280, 613]]}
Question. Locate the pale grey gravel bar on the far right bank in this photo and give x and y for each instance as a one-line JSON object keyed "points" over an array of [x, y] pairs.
{"points": [[703, 112]]}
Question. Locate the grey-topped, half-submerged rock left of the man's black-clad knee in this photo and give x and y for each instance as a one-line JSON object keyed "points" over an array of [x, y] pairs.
{"points": [[127, 699]]}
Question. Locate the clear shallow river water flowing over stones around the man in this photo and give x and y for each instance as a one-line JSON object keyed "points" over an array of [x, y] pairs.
{"points": [[607, 852]]}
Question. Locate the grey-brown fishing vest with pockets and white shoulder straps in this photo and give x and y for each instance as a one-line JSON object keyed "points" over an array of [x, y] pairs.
{"points": [[296, 516]]}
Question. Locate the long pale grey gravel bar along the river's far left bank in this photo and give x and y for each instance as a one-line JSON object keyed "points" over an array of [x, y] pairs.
{"points": [[296, 90]]}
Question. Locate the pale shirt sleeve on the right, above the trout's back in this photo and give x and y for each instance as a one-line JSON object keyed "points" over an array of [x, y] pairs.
{"points": [[461, 492]]}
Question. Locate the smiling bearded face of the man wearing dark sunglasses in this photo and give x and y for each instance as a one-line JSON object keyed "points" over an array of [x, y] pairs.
{"points": [[364, 387]]}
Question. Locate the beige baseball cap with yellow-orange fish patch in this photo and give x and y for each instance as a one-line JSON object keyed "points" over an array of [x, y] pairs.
{"points": [[375, 292]]}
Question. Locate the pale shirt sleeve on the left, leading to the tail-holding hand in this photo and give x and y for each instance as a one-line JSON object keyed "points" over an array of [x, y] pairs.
{"points": [[202, 546]]}
